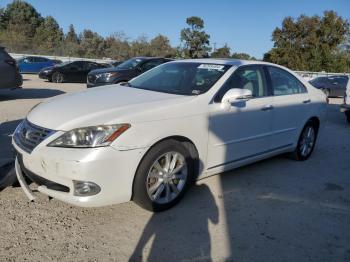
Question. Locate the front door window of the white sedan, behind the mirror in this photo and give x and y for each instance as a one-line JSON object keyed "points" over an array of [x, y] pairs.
{"points": [[246, 77]]}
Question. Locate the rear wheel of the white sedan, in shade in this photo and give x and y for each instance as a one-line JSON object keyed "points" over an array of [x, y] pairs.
{"points": [[306, 142]]}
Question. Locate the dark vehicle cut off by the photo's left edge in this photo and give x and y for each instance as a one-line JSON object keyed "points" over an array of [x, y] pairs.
{"points": [[9, 72]]}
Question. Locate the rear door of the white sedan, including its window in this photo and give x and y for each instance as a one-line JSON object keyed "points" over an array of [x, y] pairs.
{"points": [[290, 105]]}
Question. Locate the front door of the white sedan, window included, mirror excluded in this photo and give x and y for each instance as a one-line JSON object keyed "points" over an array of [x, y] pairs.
{"points": [[242, 131]]}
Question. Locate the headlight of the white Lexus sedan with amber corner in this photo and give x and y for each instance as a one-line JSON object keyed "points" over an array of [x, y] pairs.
{"points": [[93, 136]]}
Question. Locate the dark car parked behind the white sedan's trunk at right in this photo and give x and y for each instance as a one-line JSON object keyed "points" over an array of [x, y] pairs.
{"points": [[331, 85]]}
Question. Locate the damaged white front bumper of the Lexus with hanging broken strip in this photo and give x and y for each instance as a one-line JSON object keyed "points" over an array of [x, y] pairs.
{"points": [[111, 169]]}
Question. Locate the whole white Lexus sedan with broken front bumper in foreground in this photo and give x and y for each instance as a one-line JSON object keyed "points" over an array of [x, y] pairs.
{"points": [[148, 139]]}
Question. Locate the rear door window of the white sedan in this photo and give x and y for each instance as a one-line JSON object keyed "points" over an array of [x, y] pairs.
{"points": [[284, 83]]}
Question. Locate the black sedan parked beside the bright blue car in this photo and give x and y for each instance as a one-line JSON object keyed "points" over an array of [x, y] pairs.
{"points": [[75, 71]]}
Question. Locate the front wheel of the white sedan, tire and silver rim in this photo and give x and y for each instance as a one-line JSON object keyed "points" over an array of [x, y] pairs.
{"points": [[156, 188]]}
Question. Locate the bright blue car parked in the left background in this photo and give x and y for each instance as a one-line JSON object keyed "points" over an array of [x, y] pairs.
{"points": [[33, 64]]}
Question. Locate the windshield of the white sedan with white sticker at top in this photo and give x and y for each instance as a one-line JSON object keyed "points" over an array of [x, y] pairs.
{"points": [[181, 78]]}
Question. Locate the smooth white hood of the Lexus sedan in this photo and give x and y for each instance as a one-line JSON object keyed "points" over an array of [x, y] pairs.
{"points": [[110, 104]]}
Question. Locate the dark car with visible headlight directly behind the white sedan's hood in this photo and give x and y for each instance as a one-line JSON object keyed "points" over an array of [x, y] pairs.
{"points": [[124, 71]]}
